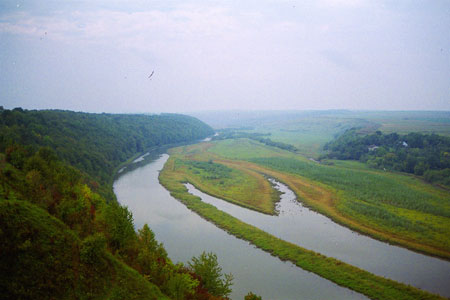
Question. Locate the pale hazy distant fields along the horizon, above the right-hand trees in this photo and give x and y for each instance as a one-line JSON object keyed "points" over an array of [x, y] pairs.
{"points": [[309, 131]]}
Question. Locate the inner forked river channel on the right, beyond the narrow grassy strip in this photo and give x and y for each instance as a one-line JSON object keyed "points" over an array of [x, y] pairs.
{"points": [[304, 227]]}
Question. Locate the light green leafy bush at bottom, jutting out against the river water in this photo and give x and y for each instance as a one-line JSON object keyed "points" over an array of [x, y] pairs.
{"points": [[207, 267]]}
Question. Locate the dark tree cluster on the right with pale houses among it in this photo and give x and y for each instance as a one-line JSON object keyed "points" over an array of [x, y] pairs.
{"points": [[426, 155]]}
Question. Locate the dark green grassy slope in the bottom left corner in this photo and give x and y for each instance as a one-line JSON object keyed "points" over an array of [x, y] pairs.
{"points": [[44, 259]]}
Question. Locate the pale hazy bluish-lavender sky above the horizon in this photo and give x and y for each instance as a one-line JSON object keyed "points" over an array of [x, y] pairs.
{"points": [[96, 56]]}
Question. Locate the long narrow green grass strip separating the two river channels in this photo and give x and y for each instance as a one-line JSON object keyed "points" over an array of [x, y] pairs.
{"points": [[174, 175]]}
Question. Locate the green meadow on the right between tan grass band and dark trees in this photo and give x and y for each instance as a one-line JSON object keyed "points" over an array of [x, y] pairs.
{"points": [[389, 204]]}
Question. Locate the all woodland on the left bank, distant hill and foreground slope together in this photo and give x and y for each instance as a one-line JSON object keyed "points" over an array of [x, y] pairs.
{"points": [[59, 238]]}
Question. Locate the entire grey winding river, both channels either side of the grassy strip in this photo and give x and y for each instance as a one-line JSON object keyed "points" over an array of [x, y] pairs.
{"points": [[185, 234]]}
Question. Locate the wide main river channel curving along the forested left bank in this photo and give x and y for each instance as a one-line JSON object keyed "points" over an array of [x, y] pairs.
{"points": [[184, 235]]}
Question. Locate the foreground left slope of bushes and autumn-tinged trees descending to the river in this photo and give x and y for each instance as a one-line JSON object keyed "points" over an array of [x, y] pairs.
{"points": [[51, 187]]}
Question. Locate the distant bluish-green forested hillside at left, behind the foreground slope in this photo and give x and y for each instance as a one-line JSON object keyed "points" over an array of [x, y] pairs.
{"points": [[93, 143]]}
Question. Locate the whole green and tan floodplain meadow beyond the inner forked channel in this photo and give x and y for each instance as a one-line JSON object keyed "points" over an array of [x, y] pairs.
{"points": [[391, 207]]}
